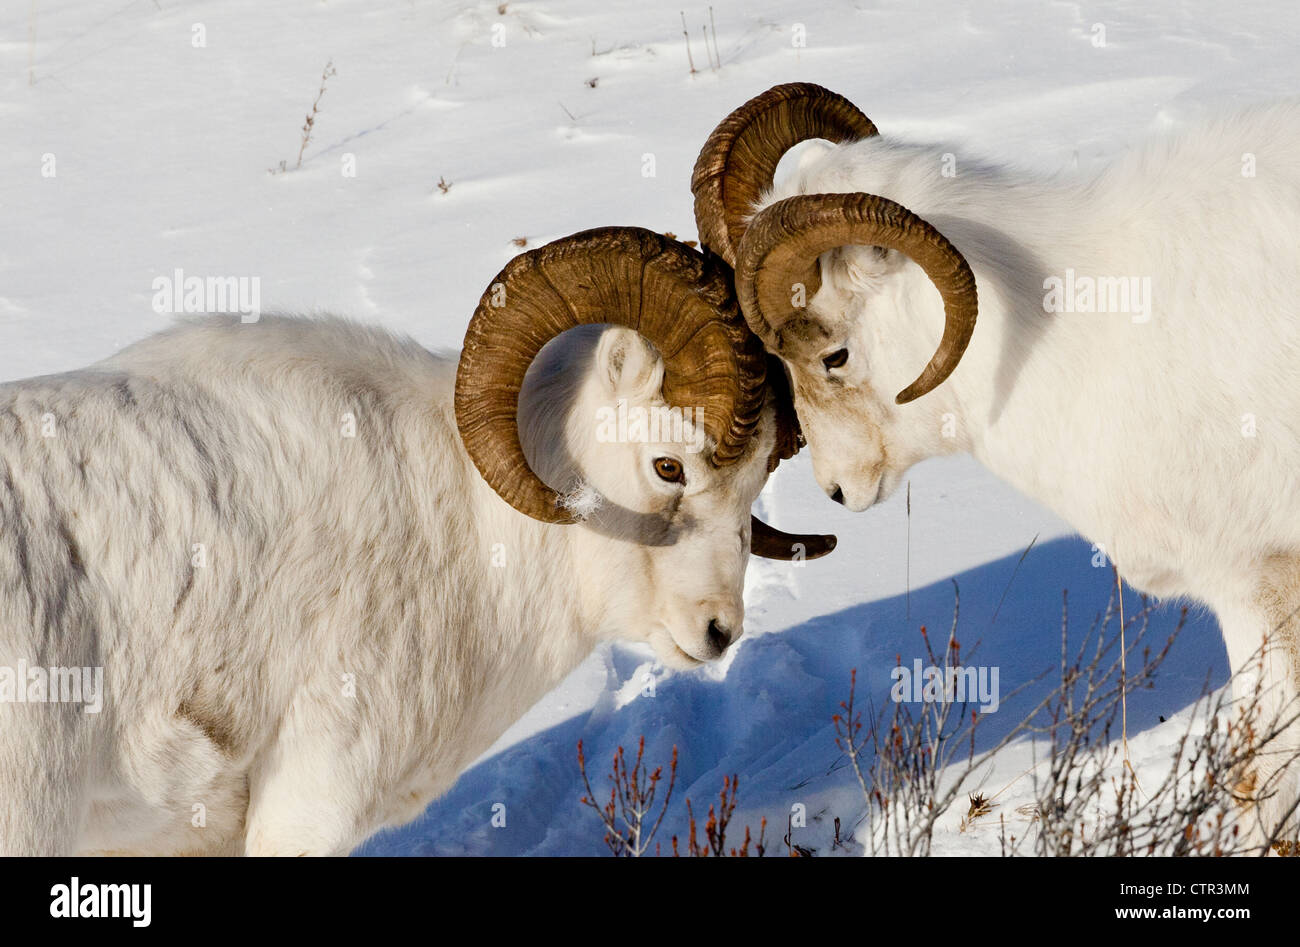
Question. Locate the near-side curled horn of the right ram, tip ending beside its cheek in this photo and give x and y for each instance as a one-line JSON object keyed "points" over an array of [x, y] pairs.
{"points": [[779, 256]]}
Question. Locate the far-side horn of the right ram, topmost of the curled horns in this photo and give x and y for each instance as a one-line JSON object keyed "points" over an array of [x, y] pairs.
{"points": [[740, 158]]}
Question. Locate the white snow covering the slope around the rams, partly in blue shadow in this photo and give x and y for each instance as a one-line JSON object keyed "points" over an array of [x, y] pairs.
{"points": [[163, 152]]}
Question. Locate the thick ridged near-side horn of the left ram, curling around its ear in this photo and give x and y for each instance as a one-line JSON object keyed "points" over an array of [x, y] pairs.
{"points": [[626, 276]]}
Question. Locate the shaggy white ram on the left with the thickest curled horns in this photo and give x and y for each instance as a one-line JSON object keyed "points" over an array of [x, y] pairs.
{"points": [[319, 570]]}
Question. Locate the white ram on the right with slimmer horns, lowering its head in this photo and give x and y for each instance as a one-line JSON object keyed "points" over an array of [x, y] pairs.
{"points": [[1137, 365]]}
